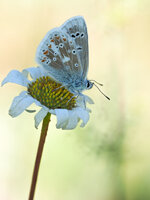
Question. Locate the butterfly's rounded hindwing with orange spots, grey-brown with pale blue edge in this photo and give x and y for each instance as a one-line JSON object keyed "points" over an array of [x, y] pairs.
{"points": [[58, 55]]}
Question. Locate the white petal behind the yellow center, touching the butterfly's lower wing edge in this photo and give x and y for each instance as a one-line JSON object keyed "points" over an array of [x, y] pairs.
{"points": [[35, 72]]}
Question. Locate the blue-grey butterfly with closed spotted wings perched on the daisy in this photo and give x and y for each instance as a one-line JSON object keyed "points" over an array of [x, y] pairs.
{"points": [[64, 54]]}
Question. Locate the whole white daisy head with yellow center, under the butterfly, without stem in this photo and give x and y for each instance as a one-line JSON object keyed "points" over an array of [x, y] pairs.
{"points": [[50, 95]]}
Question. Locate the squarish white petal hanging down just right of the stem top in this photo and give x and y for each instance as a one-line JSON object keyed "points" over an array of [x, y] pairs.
{"points": [[62, 117]]}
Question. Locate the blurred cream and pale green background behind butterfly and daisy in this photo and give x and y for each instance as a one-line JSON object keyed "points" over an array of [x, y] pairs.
{"points": [[109, 159]]}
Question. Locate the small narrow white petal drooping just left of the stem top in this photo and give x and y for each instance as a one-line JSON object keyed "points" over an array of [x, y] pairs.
{"points": [[40, 116]]}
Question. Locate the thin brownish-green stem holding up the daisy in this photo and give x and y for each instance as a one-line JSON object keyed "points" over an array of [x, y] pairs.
{"points": [[39, 155]]}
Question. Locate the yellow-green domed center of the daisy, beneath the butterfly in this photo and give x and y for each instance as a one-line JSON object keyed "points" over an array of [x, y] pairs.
{"points": [[51, 94]]}
